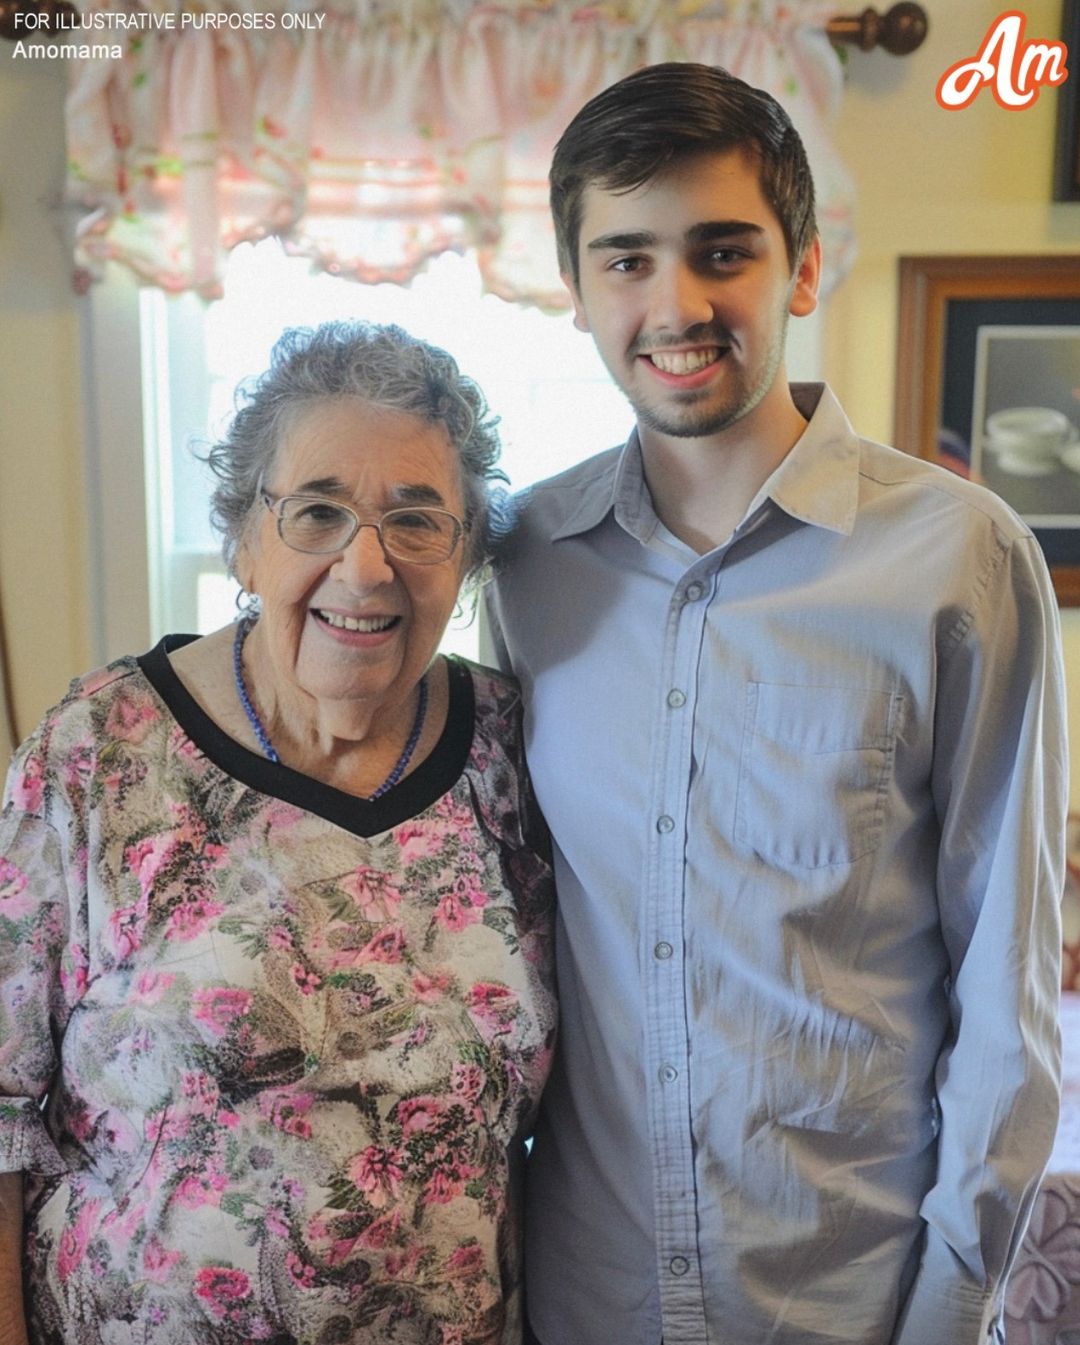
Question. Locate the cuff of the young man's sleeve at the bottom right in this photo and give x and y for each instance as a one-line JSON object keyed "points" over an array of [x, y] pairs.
{"points": [[946, 1307]]}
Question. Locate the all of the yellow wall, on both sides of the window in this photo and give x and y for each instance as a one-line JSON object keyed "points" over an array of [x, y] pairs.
{"points": [[929, 182]]}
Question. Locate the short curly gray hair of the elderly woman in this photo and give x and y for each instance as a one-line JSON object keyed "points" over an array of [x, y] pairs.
{"points": [[383, 365]]}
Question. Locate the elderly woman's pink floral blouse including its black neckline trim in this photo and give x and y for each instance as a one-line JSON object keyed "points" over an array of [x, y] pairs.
{"points": [[290, 1042]]}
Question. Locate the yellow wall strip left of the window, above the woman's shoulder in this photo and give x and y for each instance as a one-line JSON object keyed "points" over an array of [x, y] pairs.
{"points": [[42, 521]]}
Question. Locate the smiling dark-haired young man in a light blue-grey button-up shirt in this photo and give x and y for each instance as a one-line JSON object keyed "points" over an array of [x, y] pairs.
{"points": [[796, 719]]}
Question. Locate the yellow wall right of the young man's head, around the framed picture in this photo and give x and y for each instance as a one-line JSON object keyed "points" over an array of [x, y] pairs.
{"points": [[941, 182]]}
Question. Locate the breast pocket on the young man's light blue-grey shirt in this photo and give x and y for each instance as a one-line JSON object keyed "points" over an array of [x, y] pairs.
{"points": [[814, 773]]}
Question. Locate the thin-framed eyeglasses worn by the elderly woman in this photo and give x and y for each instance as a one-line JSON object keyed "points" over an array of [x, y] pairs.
{"points": [[318, 527]]}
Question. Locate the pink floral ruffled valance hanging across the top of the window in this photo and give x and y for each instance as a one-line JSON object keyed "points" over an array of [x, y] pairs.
{"points": [[373, 135]]}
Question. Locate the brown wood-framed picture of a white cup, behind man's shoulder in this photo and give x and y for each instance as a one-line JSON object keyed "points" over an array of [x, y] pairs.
{"points": [[988, 384]]}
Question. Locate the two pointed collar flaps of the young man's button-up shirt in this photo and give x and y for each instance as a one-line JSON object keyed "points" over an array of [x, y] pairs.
{"points": [[817, 481]]}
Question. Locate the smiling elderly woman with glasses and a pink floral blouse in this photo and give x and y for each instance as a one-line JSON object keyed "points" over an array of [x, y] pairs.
{"points": [[275, 996]]}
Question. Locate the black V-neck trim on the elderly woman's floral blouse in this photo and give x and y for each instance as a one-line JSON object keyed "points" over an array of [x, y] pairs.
{"points": [[438, 774]]}
